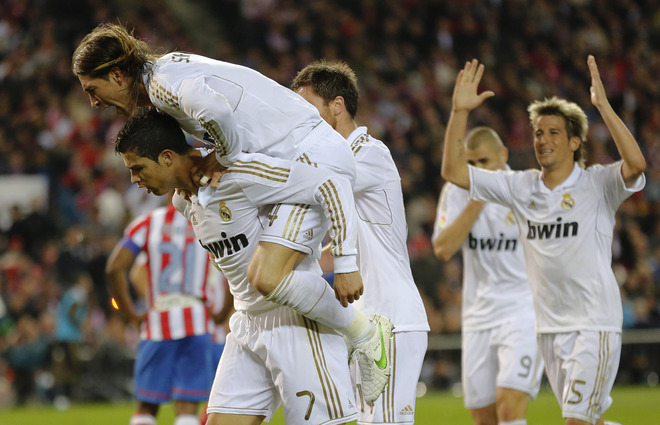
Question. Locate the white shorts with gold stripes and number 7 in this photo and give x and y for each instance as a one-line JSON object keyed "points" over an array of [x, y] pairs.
{"points": [[279, 357]]}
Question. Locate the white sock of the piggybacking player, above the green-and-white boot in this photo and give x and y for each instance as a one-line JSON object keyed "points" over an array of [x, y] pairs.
{"points": [[311, 296]]}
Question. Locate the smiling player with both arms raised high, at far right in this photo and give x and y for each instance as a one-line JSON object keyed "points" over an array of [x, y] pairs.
{"points": [[566, 216]]}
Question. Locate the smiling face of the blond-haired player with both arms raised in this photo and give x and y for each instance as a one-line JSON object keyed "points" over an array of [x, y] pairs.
{"points": [[552, 145]]}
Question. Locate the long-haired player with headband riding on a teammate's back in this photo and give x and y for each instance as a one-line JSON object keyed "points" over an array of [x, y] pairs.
{"points": [[233, 108]]}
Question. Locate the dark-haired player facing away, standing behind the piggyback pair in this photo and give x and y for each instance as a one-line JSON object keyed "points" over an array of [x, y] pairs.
{"points": [[383, 255]]}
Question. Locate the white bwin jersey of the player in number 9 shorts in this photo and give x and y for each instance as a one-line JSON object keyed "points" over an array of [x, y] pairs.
{"points": [[495, 287]]}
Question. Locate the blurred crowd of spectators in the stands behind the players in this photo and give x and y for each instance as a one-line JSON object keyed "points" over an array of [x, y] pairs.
{"points": [[56, 323]]}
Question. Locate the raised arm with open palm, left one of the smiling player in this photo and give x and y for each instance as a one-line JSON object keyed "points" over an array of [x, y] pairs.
{"points": [[464, 99]]}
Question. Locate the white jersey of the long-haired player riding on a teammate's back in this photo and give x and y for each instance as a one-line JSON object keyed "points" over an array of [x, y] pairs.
{"points": [[232, 106]]}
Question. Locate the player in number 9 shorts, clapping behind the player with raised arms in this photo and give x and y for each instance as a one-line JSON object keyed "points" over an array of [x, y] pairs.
{"points": [[501, 363]]}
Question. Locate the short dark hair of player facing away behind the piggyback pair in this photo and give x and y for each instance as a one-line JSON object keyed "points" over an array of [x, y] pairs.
{"points": [[329, 80]]}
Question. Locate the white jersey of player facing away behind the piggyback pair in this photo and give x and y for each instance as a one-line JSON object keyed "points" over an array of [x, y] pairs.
{"points": [[389, 287]]}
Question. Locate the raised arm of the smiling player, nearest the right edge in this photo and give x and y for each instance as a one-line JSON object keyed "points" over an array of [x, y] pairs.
{"points": [[633, 160]]}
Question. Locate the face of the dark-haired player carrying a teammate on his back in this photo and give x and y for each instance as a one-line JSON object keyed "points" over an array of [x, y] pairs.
{"points": [[154, 176]]}
